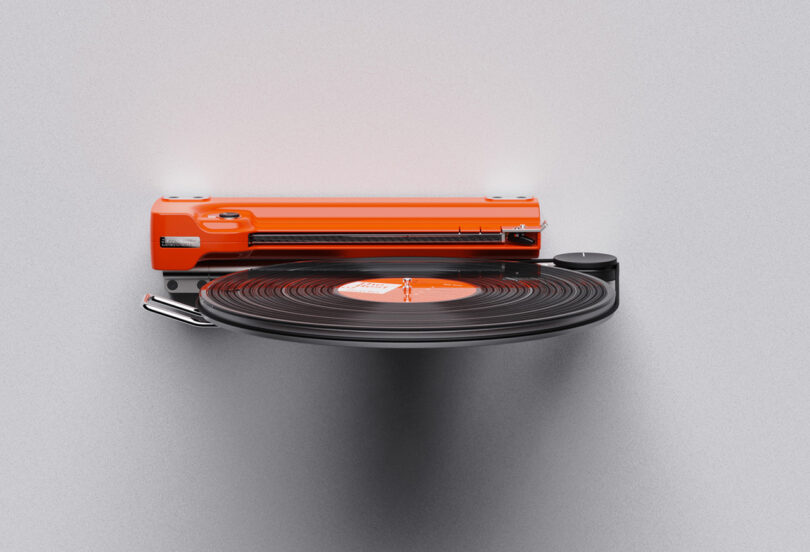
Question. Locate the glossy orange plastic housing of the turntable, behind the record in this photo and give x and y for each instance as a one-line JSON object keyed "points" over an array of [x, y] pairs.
{"points": [[190, 232]]}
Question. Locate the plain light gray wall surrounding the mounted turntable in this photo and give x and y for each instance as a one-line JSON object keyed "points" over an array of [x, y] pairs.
{"points": [[672, 135]]}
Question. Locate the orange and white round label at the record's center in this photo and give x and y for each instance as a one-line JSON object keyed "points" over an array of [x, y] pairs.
{"points": [[407, 290]]}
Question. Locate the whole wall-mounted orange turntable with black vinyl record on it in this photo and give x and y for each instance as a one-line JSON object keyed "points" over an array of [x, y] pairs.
{"points": [[377, 272]]}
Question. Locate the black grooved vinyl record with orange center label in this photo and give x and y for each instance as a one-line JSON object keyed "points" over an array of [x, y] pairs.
{"points": [[406, 301]]}
